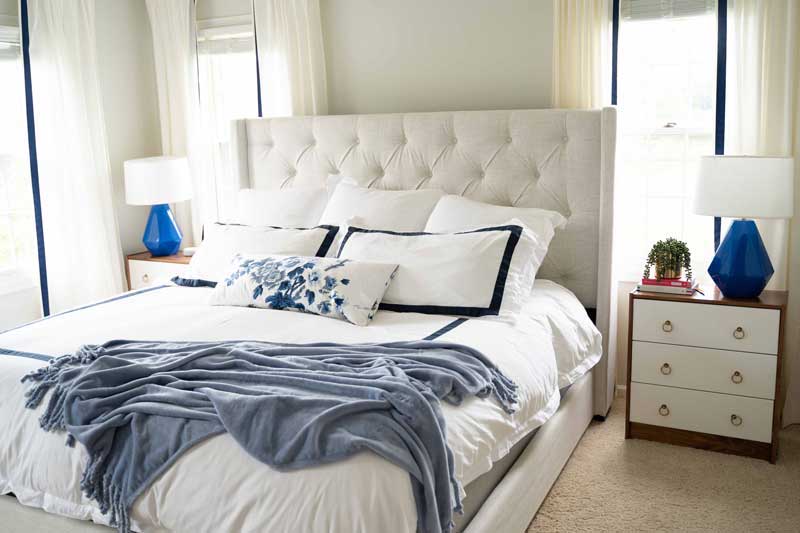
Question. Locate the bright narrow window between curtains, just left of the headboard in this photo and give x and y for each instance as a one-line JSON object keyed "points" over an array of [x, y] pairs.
{"points": [[228, 90]]}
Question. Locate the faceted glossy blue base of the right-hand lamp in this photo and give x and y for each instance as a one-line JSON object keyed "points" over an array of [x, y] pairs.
{"points": [[741, 267]]}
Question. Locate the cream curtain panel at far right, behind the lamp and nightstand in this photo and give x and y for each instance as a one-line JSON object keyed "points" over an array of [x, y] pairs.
{"points": [[762, 117]]}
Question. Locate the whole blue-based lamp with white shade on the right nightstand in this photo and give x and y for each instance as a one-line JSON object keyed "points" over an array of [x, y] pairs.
{"points": [[744, 186]]}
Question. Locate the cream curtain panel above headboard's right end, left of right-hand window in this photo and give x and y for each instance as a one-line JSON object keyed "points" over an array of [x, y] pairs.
{"points": [[581, 53]]}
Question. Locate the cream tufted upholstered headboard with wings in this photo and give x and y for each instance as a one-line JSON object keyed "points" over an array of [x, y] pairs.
{"points": [[555, 159]]}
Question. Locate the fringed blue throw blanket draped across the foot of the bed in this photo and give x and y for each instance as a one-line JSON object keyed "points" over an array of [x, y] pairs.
{"points": [[136, 406]]}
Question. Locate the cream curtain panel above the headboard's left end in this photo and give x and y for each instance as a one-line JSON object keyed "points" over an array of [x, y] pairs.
{"points": [[291, 57]]}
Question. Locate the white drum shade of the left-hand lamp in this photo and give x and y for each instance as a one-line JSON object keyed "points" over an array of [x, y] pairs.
{"points": [[157, 180]]}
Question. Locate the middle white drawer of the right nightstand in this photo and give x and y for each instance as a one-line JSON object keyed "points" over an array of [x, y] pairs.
{"points": [[741, 373]]}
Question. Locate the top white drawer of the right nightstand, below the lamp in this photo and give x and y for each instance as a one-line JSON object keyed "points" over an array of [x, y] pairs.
{"points": [[725, 327]]}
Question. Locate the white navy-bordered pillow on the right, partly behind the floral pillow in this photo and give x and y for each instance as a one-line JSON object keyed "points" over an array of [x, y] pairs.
{"points": [[482, 272]]}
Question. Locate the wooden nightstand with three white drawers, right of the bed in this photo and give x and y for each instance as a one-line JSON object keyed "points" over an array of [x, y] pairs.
{"points": [[705, 371]]}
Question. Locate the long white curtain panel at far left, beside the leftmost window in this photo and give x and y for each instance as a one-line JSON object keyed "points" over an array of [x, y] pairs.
{"points": [[84, 257]]}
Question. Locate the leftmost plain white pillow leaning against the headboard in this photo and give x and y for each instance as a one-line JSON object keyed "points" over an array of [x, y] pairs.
{"points": [[288, 208]]}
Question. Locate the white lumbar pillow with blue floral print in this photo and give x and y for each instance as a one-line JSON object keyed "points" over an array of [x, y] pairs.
{"points": [[337, 288]]}
